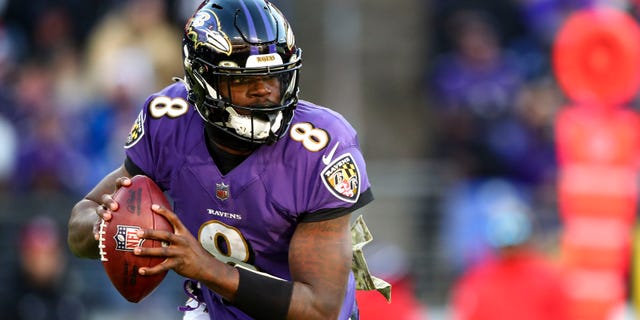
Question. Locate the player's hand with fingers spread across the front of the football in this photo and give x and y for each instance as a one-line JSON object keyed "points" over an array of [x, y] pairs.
{"points": [[184, 254]]}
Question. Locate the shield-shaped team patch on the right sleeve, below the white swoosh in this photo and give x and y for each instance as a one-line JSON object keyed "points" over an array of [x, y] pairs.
{"points": [[342, 178]]}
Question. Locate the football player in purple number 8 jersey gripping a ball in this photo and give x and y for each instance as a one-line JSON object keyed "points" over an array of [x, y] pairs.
{"points": [[263, 184]]}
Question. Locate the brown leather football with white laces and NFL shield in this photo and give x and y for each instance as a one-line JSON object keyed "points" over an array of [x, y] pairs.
{"points": [[118, 238]]}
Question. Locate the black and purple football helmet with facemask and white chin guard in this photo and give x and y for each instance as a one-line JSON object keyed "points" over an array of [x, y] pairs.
{"points": [[231, 41]]}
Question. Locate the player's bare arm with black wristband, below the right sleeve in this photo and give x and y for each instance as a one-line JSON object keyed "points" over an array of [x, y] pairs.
{"points": [[319, 261]]}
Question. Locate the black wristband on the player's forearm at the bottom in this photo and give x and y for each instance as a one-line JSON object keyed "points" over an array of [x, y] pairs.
{"points": [[262, 296]]}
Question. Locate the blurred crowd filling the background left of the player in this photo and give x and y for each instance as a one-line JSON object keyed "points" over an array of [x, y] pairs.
{"points": [[73, 76]]}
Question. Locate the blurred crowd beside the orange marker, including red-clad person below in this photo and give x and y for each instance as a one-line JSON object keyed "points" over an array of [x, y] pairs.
{"points": [[493, 91]]}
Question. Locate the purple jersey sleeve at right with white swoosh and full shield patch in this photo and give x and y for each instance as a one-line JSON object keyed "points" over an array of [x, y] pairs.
{"points": [[336, 181]]}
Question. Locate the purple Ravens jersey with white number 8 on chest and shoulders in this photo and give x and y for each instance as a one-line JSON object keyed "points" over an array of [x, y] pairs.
{"points": [[248, 215]]}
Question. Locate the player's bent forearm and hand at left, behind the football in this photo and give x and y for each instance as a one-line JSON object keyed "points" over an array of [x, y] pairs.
{"points": [[86, 214]]}
